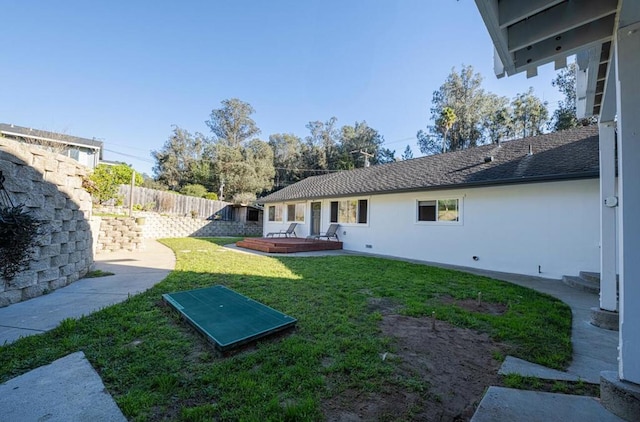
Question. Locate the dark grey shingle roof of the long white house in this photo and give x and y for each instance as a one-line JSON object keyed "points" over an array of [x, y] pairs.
{"points": [[568, 154]]}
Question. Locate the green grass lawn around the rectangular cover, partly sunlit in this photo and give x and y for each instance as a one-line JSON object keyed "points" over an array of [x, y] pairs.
{"points": [[158, 368]]}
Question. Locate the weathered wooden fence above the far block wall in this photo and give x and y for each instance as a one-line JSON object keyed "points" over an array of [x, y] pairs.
{"points": [[173, 203]]}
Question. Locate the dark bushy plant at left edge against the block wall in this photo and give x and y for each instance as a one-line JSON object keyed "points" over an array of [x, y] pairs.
{"points": [[19, 233]]}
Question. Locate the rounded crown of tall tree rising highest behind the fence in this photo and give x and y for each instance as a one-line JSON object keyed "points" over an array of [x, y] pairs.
{"points": [[232, 123]]}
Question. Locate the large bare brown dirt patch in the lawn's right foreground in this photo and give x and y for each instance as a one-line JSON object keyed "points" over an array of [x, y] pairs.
{"points": [[442, 374]]}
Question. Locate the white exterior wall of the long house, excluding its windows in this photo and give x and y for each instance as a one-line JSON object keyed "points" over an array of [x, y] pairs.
{"points": [[511, 228]]}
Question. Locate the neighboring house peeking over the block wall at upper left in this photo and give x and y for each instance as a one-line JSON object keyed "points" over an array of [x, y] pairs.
{"points": [[86, 151]]}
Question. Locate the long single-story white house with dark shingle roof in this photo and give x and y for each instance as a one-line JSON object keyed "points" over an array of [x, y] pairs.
{"points": [[528, 206]]}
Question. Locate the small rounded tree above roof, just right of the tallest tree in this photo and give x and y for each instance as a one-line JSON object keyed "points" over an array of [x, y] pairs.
{"points": [[530, 114]]}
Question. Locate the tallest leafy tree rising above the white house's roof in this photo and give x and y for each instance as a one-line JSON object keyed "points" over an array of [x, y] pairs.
{"points": [[463, 94]]}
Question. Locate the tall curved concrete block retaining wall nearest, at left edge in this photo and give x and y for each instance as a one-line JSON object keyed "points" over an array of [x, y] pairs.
{"points": [[50, 187]]}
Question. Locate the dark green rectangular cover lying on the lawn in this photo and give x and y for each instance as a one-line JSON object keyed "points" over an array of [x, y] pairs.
{"points": [[228, 318]]}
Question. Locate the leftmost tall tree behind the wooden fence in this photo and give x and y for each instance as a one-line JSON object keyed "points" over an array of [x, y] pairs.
{"points": [[183, 160]]}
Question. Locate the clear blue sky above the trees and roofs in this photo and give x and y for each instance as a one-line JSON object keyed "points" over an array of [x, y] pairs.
{"points": [[125, 71]]}
